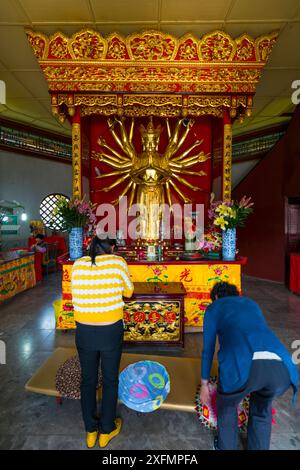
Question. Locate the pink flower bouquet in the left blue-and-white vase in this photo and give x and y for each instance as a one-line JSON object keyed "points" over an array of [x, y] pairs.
{"points": [[76, 213]]}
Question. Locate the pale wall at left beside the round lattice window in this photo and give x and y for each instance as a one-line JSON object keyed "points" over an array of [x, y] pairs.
{"points": [[28, 180]]}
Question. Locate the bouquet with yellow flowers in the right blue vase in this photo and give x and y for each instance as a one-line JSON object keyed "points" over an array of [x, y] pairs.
{"points": [[230, 214]]}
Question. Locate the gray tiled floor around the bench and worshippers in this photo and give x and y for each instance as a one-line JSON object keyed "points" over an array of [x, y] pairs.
{"points": [[29, 421]]}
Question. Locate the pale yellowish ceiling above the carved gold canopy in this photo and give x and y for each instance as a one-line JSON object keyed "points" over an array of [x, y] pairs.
{"points": [[27, 94]]}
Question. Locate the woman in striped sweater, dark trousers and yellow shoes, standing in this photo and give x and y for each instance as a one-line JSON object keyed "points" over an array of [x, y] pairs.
{"points": [[99, 282]]}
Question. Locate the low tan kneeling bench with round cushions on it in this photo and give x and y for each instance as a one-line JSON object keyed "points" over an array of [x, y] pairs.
{"points": [[184, 375]]}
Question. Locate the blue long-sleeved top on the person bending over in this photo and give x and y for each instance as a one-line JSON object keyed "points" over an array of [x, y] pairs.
{"points": [[242, 330]]}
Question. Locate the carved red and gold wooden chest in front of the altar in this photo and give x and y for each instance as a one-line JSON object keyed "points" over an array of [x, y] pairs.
{"points": [[154, 314]]}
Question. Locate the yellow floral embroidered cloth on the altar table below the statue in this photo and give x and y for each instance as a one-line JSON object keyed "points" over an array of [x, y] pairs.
{"points": [[197, 277]]}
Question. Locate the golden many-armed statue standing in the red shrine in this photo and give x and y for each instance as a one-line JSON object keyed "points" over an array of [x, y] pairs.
{"points": [[150, 175]]}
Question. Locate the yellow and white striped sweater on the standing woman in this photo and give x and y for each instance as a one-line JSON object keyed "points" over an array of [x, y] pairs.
{"points": [[97, 290]]}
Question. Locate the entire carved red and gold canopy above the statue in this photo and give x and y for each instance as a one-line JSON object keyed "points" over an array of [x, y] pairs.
{"points": [[151, 73]]}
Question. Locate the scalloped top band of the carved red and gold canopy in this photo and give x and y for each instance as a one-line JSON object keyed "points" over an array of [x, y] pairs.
{"points": [[152, 46]]}
